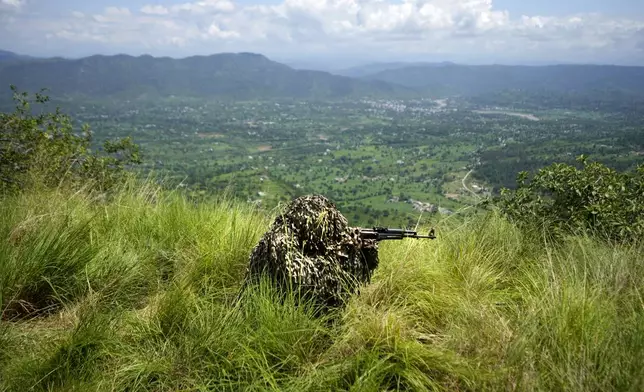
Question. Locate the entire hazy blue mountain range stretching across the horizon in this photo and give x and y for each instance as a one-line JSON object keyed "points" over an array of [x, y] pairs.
{"points": [[253, 76]]}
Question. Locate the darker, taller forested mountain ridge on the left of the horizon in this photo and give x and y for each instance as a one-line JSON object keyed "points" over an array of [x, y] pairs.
{"points": [[226, 75]]}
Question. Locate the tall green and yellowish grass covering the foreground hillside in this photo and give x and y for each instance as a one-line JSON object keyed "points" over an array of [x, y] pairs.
{"points": [[136, 292]]}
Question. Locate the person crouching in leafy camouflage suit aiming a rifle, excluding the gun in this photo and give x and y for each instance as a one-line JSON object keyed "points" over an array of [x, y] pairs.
{"points": [[310, 247]]}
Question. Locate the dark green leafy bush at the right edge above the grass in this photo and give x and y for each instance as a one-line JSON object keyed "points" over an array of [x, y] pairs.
{"points": [[595, 199]]}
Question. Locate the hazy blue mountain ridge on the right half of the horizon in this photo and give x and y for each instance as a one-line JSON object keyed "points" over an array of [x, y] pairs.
{"points": [[451, 79]]}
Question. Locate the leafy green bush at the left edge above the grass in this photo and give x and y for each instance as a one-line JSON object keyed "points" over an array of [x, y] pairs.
{"points": [[44, 149]]}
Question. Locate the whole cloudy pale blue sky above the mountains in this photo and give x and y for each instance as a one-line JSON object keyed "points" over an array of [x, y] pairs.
{"points": [[351, 31]]}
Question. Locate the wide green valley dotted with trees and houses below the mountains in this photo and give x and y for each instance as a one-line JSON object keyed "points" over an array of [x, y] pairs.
{"points": [[382, 161]]}
